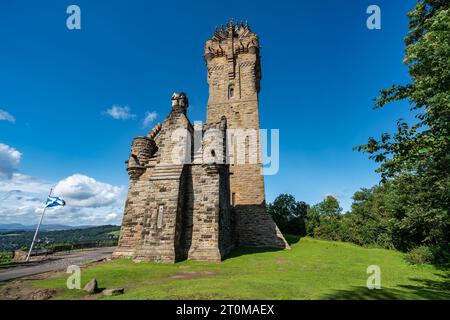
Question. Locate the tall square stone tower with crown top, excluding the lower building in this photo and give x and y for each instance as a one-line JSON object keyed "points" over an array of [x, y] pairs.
{"points": [[234, 74]]}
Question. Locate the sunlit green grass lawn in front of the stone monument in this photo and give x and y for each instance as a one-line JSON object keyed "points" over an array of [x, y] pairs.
{"points": [[312, 269]]}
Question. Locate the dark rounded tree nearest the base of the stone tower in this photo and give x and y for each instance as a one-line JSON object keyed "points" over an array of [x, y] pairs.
{"points": [[289, 214]]}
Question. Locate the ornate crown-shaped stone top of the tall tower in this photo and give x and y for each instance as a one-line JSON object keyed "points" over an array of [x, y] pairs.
{"points": [[231, 40]]}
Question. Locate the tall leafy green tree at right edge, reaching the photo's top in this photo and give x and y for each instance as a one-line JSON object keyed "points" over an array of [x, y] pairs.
{"points": [[416, 158]]}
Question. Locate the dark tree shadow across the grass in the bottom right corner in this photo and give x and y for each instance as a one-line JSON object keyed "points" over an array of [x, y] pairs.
{"points": [[423, 289]]}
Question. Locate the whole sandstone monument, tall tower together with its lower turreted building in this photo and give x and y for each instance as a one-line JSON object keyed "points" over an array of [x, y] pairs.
{"points": [[212, 199]]}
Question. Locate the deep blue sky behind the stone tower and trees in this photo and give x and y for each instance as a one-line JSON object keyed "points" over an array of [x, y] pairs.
{"points": [[321, 69]]}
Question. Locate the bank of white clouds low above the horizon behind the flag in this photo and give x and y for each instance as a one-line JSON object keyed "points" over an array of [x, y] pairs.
{"points": [[89, 202]]}
